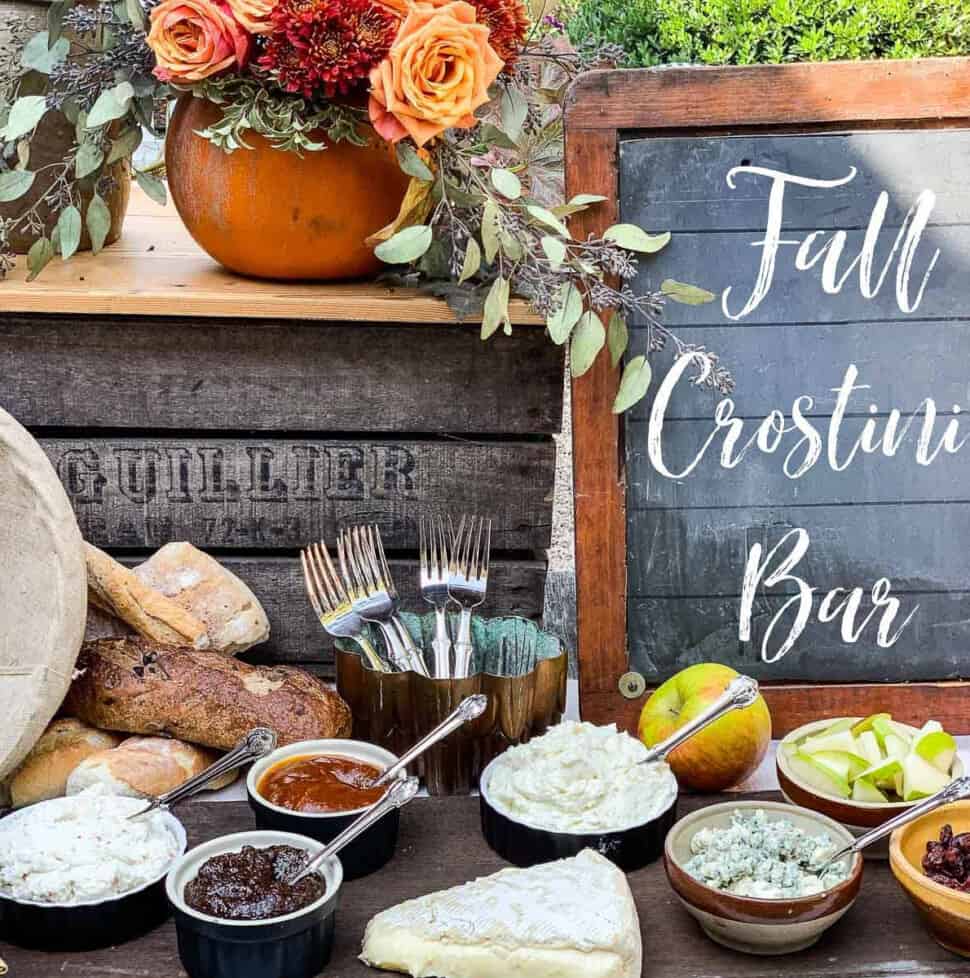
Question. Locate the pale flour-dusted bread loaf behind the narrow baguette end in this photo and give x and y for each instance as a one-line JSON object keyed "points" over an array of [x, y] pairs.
{"points": [[233, 618]]}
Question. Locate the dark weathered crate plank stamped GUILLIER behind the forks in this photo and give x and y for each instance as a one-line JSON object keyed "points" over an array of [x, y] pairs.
{"points": [[273, 494]]}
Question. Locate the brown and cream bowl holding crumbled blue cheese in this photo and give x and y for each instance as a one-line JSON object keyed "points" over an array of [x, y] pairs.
{"points": [[751, 924]]}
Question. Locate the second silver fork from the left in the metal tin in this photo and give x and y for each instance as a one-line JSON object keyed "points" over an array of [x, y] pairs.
{"points": [[368, 578]]}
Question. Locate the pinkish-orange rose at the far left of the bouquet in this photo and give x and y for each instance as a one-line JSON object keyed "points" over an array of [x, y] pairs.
{"points": [[193, 39]]}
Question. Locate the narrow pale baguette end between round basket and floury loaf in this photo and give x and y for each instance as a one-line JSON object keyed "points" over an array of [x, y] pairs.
{"points": [[115, 589]]}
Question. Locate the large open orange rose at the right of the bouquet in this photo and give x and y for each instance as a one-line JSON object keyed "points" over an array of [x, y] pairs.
{"points": [[435, 75]]}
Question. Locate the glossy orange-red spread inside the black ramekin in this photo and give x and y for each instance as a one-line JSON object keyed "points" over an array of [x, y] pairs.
{"points": [[321, 784]]}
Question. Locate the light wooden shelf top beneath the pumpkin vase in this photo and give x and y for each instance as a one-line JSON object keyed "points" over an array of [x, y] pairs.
{"points": [[156, 269]]}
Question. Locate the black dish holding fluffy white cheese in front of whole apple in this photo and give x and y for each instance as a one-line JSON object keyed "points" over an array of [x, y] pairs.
{"points": [[527, 845]]}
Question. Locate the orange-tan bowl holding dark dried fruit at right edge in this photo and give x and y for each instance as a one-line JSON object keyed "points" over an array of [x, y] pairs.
{"points": [[945, 912]]}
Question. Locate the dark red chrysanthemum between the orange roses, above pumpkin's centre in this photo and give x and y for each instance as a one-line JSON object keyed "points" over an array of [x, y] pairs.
{"points": [[327, 47]]}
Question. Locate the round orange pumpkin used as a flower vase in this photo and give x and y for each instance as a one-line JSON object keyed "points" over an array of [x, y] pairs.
{"points": [[273, 214]]}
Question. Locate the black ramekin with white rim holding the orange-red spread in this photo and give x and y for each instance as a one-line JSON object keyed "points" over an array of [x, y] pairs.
{"points": [[370, 850]]}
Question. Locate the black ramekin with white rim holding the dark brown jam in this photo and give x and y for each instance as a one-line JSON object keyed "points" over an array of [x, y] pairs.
{"points": [[297, 945]]}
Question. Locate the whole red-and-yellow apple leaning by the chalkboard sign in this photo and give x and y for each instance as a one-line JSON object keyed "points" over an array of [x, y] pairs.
{"points": [[722, 754]]}
